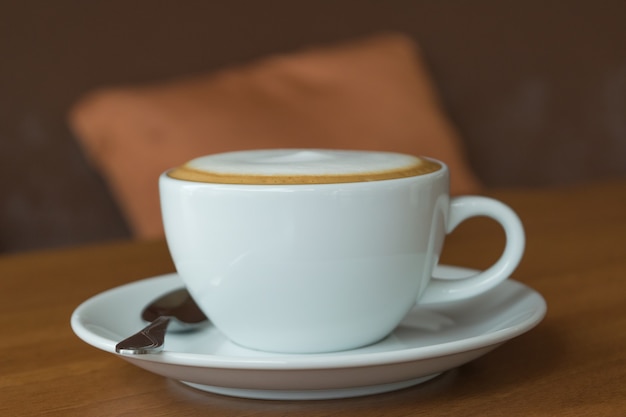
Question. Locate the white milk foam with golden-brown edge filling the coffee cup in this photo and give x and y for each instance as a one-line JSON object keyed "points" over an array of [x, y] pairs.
{"points": [[302, 166]]}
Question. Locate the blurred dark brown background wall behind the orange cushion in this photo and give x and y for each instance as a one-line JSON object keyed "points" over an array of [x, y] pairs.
{"points": [[537, 89]]}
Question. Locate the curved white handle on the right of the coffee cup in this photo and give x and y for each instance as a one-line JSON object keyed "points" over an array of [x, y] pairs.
{"points": [[461, 209]]}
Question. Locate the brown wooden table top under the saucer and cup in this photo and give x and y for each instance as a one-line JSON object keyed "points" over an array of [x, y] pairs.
{"points": [[573, 363]]}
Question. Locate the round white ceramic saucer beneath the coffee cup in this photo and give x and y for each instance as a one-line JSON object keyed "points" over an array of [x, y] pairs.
{"points": [[429, 341]]}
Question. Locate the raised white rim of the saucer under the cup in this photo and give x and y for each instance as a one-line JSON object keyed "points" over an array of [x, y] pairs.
{"points": [[346, 359]]}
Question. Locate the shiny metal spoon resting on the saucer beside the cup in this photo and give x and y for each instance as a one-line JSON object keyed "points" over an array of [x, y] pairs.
{"points": [[175, 311]]}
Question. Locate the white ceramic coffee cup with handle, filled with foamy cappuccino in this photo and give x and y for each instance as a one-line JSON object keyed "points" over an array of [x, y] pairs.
{"points": [[307, 251]]}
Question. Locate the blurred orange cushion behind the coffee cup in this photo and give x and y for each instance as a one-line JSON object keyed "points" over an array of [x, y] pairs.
{"points": [[368, 94]]}
